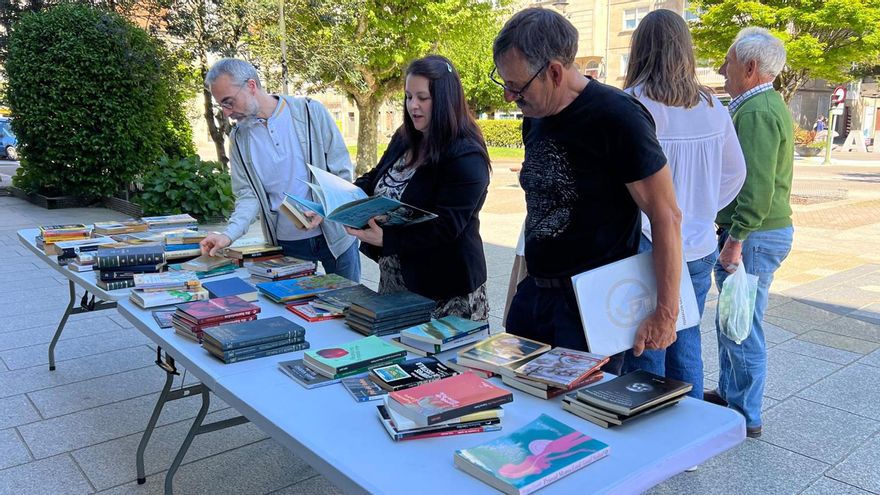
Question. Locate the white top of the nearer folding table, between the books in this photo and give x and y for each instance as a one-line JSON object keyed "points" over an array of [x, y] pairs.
{"points": [[344, 440]]}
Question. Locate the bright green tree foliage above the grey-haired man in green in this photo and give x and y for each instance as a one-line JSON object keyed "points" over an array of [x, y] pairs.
{"points": [[824, 38]]}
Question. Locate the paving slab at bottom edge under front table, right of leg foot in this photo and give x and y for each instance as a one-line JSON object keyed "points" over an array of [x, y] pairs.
{"points": [[262, 467]]}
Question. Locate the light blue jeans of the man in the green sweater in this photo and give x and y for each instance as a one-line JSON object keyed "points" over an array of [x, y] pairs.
{"points": [[743, 367]]}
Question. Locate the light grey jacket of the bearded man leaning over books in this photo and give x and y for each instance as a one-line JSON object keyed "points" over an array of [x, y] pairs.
{"points": [[321, 140]]}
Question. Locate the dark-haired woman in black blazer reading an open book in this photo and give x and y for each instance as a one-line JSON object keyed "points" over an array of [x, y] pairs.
{"points": [[436, 161]]}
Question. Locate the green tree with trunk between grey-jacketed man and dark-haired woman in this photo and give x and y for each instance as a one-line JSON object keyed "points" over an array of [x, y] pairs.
{"points": [[361, 47]]}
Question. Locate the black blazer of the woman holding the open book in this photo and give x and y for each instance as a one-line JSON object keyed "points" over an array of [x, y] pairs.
{"points": [[443, 257]]}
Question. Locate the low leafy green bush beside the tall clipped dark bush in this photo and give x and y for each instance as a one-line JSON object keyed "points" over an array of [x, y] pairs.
{"points": [[187, 185]]}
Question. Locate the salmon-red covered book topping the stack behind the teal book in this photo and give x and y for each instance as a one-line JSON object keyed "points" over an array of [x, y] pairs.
{"points": [[439, 401]]}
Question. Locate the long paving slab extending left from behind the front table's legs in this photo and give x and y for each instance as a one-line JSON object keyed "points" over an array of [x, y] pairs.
{"points": [[92, 426]]}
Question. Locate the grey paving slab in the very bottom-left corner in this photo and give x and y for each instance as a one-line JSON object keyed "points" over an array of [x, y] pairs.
{"points": [[58, 475]]}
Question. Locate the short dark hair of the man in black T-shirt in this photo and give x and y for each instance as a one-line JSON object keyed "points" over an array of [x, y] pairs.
{"points": [[540, 35]]}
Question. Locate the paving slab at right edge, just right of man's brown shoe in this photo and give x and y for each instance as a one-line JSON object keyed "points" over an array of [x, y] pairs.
{"points": [[815, 430]]}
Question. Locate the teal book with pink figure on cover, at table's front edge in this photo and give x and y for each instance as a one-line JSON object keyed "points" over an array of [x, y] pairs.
{"points": [[531, 457]]}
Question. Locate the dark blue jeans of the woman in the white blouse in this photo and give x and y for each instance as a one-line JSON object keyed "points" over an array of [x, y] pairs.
{"points": [[683, 360]]}
